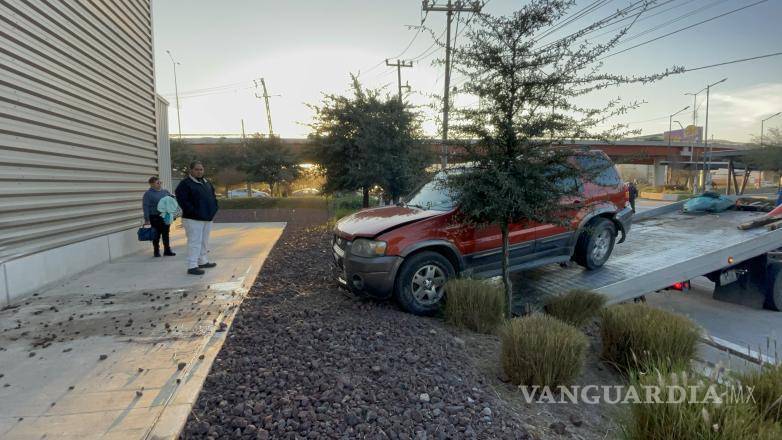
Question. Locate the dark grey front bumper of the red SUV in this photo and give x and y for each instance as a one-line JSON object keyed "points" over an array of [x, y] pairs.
{"points": [[365, 276]]}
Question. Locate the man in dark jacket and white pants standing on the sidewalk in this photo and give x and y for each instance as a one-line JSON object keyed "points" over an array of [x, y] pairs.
{"points": [[196, 197]]}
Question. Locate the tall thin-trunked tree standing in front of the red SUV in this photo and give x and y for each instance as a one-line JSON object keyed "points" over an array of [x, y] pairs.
{"points": [[527, 94]]}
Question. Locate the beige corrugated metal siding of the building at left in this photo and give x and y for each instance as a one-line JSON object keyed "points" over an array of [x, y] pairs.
{"points": [[78, 123]]}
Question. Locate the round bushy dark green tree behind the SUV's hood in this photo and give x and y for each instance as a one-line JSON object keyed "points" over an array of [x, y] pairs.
{"points": [[365, 140]]}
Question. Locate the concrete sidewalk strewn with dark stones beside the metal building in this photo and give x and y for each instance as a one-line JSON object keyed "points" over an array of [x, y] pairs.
{"points": [[122, 350]]}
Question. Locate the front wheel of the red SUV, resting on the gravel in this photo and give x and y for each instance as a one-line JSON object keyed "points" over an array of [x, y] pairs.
{"points": [[420, 302]]}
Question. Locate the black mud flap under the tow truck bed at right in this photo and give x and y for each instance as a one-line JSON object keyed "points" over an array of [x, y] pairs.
{"points": [[745, 283]]}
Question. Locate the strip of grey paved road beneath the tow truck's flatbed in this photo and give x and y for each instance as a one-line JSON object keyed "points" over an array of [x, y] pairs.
{"points": [[741, 325]]}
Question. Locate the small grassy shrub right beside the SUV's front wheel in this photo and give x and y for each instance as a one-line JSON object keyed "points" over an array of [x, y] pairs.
{"points": [[473, 304]]}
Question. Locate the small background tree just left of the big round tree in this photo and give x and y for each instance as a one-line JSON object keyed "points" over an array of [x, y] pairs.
{"points": [[270, 161]]}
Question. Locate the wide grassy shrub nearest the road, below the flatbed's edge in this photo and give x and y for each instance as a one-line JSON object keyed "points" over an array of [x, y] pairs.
{"points": [[636, 336]]}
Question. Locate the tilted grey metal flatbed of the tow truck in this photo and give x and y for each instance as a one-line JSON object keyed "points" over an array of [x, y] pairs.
{"points": [[659, 252]]}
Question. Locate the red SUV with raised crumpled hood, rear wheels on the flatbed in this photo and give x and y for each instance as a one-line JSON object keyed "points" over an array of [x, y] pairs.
{"points": [[409, 251]]}
